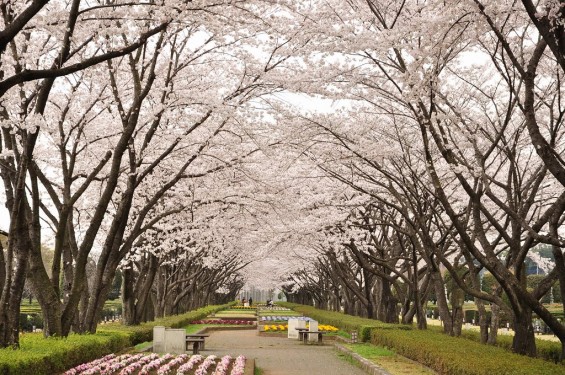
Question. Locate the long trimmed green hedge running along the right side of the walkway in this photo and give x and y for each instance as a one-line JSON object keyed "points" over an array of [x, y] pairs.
{"points": [[432, 348]]}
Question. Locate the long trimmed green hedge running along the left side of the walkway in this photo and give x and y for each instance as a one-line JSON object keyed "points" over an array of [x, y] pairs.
{"points": [[47, 356]]}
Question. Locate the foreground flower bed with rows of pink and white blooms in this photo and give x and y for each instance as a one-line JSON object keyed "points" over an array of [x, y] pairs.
{"points": [[140, 364]]}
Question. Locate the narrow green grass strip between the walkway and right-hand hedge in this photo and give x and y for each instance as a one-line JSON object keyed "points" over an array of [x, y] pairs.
{"points": [[389, 360]]}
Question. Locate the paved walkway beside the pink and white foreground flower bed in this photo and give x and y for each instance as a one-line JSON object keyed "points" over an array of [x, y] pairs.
{"points": [[280, 356]]}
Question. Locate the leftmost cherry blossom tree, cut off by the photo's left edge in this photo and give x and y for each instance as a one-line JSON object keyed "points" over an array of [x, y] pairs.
{"points": [[43, 40]]}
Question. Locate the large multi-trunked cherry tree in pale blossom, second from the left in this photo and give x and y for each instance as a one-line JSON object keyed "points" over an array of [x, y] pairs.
{"points": [[169, 119]]}
